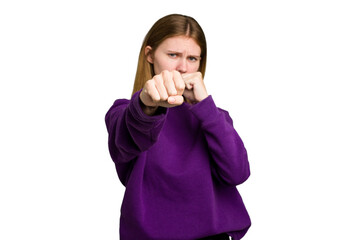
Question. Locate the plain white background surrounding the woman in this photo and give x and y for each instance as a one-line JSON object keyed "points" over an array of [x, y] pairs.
{"points": [[287, 71]]}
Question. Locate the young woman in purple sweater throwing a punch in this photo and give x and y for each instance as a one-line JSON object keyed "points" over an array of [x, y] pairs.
{"points": [[176, 153]]}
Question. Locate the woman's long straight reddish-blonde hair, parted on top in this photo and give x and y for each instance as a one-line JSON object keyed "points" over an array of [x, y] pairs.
{"points": [[169, 26]]}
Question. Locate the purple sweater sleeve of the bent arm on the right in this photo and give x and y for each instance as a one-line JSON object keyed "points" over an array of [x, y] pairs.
{"points": [[231, 164]]}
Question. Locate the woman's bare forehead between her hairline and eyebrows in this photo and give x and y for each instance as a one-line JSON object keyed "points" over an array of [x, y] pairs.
{"points": [[181, 44]]}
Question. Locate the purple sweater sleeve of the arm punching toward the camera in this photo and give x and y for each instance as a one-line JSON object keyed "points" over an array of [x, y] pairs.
{"points": [[131, 132]]}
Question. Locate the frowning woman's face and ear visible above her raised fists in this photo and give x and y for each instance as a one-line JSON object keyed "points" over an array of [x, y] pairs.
{"points": [[178, 53]]}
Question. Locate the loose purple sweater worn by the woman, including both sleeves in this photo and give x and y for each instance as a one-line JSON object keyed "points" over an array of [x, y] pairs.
{"points": [[180, 169]]}
